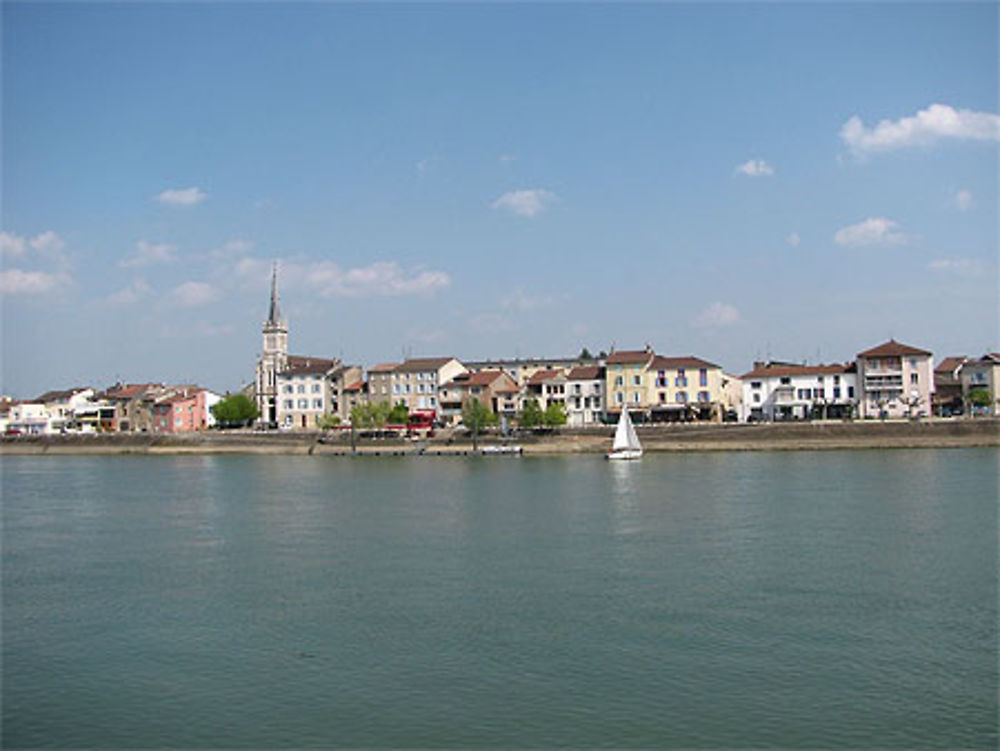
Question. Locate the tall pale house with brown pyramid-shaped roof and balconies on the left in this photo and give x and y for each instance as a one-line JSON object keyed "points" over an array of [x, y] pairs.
{"points": [[894, 380]]}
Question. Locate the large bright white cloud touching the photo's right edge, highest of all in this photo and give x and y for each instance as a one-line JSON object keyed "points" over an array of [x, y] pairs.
{"points": [[923, 129]]}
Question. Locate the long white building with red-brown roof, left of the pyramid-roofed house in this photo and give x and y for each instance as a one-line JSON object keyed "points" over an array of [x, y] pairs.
{"points": [[777, 391]]}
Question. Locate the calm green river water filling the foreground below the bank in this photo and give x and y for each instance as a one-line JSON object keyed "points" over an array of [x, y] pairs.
{"points": [[814, 599]]}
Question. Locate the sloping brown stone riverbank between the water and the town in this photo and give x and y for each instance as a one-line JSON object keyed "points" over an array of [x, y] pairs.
{"points": [[714, 437]]}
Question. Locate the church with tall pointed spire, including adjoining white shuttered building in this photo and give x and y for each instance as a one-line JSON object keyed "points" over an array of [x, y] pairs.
{"points": [[297, 392]]}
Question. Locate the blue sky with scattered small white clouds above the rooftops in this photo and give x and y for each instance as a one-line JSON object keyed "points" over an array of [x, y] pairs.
{"points": [[792, 181]]}
